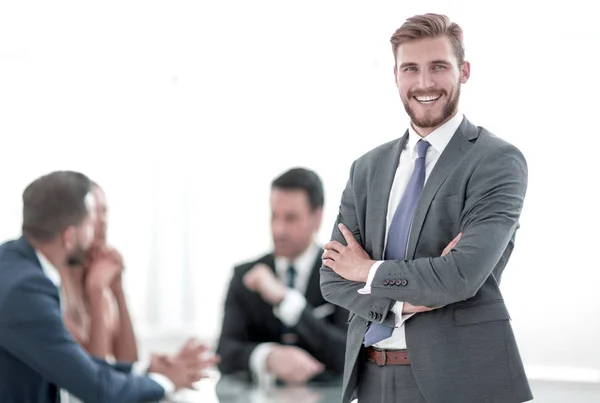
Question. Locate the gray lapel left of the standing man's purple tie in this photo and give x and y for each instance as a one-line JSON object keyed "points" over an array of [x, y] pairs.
{"points": [[380, 194]]}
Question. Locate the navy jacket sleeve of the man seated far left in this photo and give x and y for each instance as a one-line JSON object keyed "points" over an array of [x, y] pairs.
{"points": [[33, 332]]}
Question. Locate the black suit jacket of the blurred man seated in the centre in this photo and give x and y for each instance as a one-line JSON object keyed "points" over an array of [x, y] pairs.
{"points": [[249, 321]]}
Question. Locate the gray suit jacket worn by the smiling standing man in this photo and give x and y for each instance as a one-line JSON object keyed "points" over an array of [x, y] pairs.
{"points": [[464, 352]]}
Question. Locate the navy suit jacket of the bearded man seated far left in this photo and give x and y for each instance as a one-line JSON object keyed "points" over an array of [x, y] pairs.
{"points": [[38, 356]]}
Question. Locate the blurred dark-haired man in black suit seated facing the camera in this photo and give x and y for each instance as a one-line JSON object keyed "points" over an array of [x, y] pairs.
{"points": [[276, 325]]}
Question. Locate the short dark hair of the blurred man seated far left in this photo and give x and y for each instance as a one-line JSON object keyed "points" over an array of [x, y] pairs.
{"points": [[54, 202]]}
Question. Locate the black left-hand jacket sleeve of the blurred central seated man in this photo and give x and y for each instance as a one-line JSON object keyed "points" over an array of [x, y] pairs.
{"points": [[234, 346]]}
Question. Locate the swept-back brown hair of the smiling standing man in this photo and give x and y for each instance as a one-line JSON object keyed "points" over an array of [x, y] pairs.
{"points": [[429, 26]]}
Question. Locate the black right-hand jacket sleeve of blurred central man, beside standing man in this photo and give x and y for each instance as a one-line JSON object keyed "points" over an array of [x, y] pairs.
{"points": [[326, 338]]}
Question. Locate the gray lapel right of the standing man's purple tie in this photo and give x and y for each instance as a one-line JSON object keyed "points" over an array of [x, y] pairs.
{"points": [[453, 153]]}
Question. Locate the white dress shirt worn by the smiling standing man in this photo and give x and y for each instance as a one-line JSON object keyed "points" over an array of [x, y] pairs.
{"points": [[438, 140]]}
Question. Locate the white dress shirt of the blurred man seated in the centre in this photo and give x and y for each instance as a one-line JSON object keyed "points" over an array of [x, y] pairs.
{"points": [[290, 308]]}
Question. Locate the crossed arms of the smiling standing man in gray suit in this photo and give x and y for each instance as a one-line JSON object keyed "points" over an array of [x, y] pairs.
{"points": [[488, 222]]}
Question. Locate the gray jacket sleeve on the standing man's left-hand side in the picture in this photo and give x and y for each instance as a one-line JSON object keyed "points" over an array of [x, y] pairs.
{"points": [[342, 292]]}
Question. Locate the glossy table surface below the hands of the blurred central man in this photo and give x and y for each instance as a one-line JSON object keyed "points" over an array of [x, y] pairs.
{"points": [[234, 389]]}
